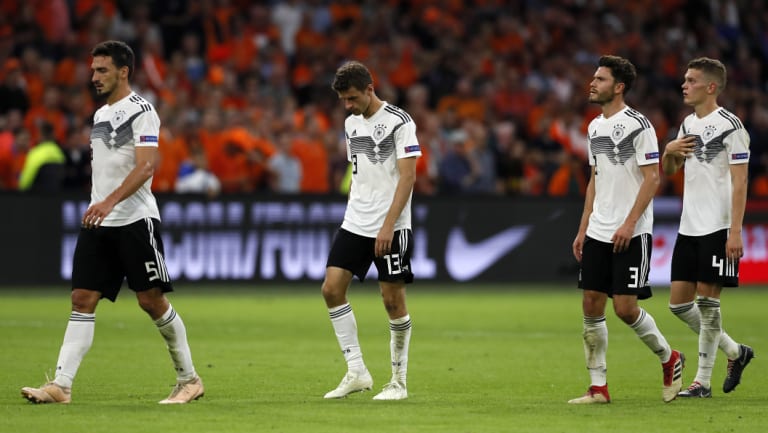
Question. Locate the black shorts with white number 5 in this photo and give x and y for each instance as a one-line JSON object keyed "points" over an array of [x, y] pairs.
{"points": [[105, 256]]}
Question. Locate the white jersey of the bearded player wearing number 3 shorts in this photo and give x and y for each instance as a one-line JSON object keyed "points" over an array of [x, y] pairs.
{"points": [[617, 147]]}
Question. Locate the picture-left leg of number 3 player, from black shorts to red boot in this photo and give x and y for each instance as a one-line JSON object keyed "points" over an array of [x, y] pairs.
{"points": [[594, 280]]}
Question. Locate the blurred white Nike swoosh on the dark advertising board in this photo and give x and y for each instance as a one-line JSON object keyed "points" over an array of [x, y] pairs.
{"points": [[465, 260]]}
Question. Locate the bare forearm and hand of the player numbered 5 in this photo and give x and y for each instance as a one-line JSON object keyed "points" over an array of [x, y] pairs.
{"points": [[146, 161]]}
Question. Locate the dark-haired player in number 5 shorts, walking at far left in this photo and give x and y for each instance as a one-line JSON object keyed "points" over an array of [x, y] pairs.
{"points": [[119, 238]]}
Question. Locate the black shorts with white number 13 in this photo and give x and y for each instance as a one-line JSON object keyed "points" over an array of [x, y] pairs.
{"points": [[355, 253]]}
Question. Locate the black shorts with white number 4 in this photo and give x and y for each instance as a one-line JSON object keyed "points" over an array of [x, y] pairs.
{"points": [[702, 258]]}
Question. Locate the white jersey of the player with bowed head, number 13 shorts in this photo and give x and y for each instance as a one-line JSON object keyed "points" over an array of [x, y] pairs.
{"points": [[373, 147]]}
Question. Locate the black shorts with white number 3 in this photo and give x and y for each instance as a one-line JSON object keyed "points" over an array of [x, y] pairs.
{"points": [[624, 273]]}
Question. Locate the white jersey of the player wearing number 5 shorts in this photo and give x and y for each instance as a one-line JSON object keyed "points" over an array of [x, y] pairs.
{"points": [[117, 130]]}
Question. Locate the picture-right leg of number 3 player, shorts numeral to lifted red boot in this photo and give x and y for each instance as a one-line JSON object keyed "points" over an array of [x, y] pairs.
{"points": [[631, 269]]}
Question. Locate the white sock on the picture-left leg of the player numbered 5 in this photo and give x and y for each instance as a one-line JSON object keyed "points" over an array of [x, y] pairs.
{"points": [[78, 339]]}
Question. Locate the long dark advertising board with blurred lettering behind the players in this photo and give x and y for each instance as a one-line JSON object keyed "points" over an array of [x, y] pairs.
{"points": [[286, 239]]}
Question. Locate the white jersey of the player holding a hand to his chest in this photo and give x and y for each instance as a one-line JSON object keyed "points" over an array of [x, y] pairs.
{"points": [[721, 140]]}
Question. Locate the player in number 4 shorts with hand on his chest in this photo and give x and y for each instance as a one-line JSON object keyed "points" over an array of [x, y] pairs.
{"points": [[713, 146]]}
